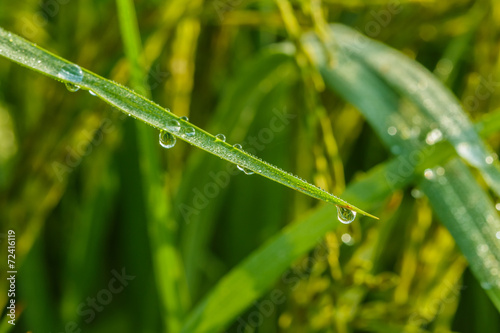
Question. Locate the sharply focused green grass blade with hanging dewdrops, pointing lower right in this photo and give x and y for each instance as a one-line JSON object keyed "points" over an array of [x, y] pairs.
{"points": [[27, 54]]}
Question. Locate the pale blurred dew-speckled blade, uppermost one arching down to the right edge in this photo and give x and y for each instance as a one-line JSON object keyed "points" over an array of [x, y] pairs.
{"points": [[437, 103]]}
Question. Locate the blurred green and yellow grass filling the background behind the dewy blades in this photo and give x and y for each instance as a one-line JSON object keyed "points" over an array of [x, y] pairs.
{"points": [[92, 196]]}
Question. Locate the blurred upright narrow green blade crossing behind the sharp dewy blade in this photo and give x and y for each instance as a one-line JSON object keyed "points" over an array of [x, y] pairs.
{"points": [[169, 271]]}
